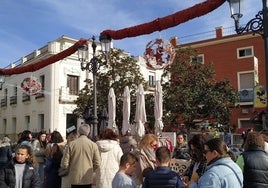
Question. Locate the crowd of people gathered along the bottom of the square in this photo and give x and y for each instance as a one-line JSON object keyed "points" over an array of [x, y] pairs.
{"points": [[113, 161]]}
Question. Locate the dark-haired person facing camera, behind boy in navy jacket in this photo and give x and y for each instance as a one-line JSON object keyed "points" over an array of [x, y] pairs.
{"points": [[180, 151]]}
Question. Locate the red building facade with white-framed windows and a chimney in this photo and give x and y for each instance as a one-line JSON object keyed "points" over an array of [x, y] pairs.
{"points": [[239, 58]]}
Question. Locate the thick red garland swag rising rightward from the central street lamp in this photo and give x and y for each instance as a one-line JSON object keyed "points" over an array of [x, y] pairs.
{"points": [[165, 22]]}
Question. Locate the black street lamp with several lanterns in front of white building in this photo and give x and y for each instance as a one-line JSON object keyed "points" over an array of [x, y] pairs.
{"points": [[93, 65]]}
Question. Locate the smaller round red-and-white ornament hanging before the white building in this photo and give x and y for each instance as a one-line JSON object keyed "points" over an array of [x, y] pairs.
{"points": [[31, 86]]}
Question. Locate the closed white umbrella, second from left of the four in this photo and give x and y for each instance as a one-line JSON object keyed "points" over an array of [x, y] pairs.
{"points": [[126, 110]]}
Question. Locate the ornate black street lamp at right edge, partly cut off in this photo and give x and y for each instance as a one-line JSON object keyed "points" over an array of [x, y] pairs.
{"points": [[259, 24]]}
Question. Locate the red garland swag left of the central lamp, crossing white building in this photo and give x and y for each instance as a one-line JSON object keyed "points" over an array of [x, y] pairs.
{"points": [[43, 63]]}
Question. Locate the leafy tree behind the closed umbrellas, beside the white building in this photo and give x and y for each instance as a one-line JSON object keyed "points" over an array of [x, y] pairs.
{"points": [[120, 71]]}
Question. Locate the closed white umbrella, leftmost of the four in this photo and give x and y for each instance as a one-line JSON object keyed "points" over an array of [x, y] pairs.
{"points": [[111, 109]]}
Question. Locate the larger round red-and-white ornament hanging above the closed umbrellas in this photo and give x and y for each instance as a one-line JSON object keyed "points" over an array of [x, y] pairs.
{"points": [[159, 53]]}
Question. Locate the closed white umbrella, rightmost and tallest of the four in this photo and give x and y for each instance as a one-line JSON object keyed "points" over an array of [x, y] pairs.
{"points": [[158, 108]]}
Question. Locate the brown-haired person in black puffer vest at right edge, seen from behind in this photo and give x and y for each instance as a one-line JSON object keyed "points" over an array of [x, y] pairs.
{"points": [[254, 161]]}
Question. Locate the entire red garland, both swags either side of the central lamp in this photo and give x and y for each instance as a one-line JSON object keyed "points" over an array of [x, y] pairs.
{"points": [[158, 24]]}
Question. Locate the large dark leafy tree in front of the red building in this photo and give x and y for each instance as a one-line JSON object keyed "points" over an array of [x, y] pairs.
{"points": [[193, 93]]}
